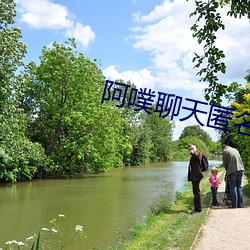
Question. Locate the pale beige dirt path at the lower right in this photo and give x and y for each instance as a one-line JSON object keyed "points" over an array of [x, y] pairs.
{"points": [[225, 228]]}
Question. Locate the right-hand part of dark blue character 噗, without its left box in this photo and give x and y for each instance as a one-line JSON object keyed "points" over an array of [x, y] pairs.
{"points": [[145, 100]]}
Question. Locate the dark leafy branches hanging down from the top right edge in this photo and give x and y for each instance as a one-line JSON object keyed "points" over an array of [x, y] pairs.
{"points": [[208, 23]]}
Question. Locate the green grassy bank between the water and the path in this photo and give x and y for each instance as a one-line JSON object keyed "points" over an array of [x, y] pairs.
{"points": [[170, 227]]}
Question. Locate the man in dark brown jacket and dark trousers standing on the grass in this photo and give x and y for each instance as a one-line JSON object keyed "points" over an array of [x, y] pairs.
{"points": [[195, 175]]}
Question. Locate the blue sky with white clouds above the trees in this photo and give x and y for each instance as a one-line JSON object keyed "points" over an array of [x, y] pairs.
{"points": [[148, 42]]}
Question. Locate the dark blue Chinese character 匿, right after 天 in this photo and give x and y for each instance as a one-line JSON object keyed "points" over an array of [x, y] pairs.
{"points": [[221, 117]]}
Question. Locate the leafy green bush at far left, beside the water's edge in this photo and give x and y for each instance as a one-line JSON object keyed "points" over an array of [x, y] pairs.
{"points": [[20, 158]]}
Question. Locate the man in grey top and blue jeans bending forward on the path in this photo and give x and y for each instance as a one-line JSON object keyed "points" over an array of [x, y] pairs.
{"points": [[235, 170]]}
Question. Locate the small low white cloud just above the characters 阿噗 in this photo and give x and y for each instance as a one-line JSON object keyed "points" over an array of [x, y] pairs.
{"points": [[142, 78]]}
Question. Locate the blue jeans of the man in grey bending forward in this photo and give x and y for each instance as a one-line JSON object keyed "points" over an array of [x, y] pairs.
{"points": [[235, 182]]}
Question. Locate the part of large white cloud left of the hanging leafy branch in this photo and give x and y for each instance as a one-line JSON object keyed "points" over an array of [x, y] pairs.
{"points": [[165, 34]]}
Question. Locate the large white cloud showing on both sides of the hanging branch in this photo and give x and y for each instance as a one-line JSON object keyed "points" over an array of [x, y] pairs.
{"points": [[165, 33]]}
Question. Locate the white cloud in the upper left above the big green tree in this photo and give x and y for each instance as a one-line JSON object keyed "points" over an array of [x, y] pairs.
{"points": [[44, 14]]}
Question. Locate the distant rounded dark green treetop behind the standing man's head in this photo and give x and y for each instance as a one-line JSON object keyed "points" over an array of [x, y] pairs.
{"points": [[196, 131]]}
